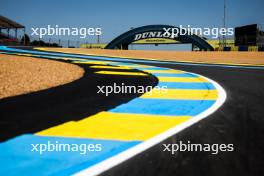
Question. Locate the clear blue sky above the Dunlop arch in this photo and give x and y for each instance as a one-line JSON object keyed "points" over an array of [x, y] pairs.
{"points": [[117, 16]]}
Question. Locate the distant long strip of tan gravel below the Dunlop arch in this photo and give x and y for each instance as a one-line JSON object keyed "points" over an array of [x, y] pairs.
{"points": [[232, 57]]}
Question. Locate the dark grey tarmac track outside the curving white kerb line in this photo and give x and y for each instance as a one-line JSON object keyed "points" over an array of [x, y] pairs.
{"points": [[239, 121]]}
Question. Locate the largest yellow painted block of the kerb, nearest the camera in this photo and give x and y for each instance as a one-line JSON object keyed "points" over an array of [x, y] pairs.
{"points": [[116, 126]]}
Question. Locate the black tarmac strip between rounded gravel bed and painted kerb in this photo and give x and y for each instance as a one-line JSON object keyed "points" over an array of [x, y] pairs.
{"points": [[40, 110]]}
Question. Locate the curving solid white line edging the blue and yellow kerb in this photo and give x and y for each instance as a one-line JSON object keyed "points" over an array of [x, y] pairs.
{"points": [[129, 153]]}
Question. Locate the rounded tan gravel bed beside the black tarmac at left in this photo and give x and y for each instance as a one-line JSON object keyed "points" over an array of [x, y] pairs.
{"points": [[21, 75]]}
